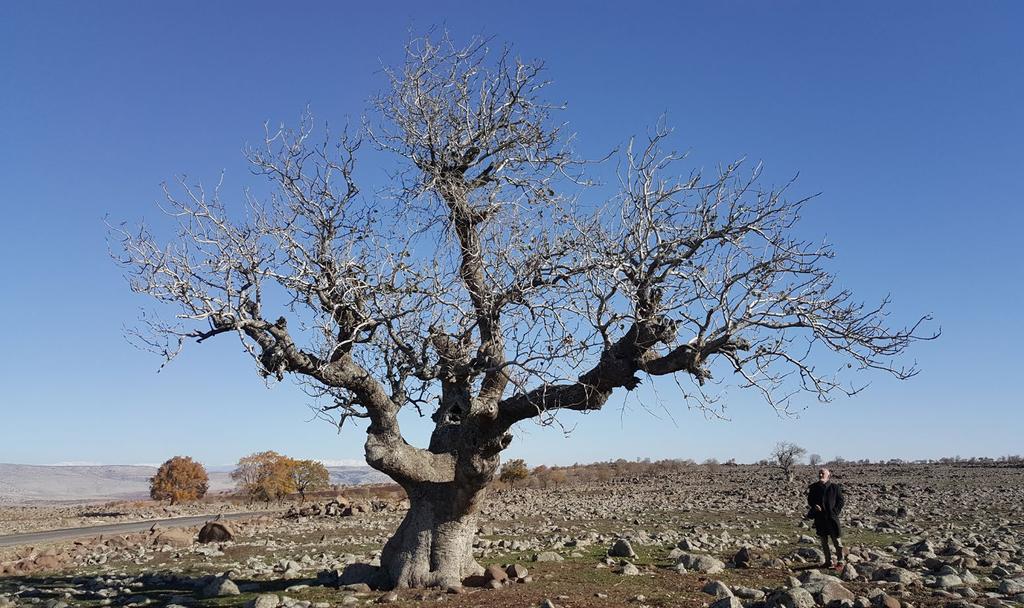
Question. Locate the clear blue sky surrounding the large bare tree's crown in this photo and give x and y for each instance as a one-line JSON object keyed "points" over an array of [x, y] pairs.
{"points": [[906, 116]]}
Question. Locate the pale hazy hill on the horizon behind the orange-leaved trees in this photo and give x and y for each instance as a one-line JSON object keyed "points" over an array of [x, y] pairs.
{"points": [[34, 484]]}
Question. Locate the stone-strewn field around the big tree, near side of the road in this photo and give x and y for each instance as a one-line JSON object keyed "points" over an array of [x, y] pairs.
{"points": [[724, 537]]}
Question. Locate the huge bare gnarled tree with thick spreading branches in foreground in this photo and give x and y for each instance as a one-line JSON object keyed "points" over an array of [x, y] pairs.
{"points": [[482, 291]]}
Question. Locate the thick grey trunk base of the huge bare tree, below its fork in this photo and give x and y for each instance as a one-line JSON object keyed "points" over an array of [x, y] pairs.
{"points": [[434, 545]]}
